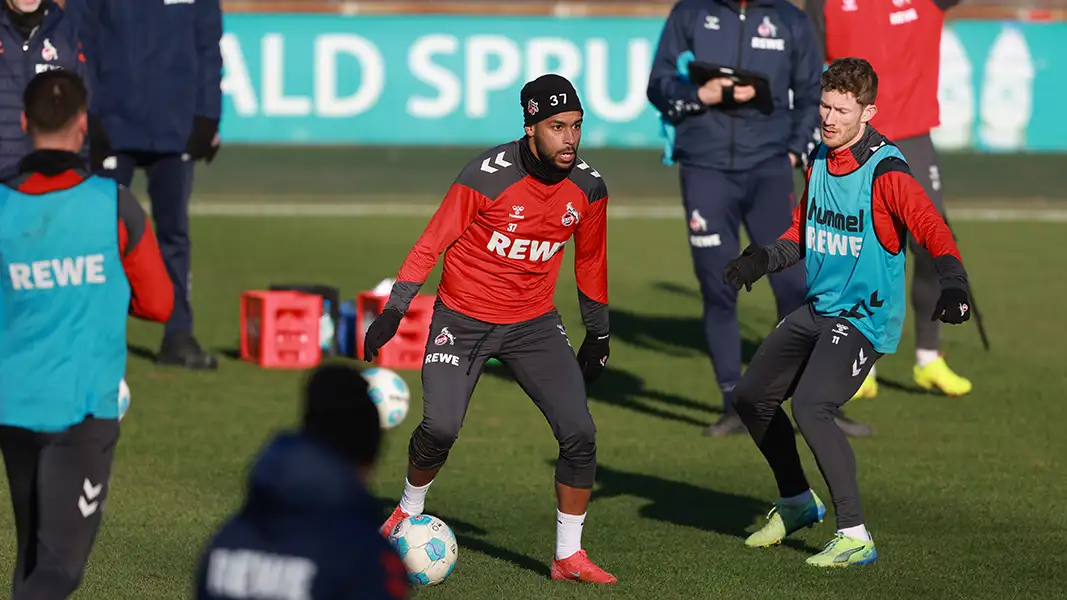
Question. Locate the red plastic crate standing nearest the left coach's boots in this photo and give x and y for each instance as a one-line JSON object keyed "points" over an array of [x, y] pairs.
{"points": [[281, 329]]}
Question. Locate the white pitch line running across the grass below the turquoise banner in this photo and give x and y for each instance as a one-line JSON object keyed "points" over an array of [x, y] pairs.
{"points": [[1033, 215]]}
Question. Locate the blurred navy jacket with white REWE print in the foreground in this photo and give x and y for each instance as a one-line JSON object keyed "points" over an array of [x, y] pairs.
{"points": [[308, 524]]}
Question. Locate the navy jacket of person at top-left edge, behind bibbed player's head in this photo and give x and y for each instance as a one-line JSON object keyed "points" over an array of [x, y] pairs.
{"points": [[54, 45]]}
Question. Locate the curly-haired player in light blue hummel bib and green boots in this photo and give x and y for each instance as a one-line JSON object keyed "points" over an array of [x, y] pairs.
{"points": [[851, 231]]}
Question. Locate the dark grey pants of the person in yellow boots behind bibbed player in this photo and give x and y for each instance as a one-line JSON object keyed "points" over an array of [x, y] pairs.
{"points": [[926, 290]]}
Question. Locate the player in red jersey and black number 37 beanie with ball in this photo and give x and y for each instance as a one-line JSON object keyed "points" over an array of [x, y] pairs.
{"points": [[502, 227]]}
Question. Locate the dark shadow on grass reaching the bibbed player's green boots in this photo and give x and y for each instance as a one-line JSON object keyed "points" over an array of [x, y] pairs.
{"points": [[689, 506]]}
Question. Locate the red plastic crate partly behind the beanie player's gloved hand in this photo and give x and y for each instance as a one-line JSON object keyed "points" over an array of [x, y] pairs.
{"points": [[408, 348]]}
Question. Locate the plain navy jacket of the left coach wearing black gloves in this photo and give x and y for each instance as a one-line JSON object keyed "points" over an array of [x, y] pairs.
{"points": [[157, 67]]}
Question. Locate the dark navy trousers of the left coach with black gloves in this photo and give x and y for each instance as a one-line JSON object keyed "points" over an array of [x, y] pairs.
{"points": [[170, 186]]}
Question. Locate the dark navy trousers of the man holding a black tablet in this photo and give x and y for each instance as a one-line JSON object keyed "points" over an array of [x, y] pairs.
{"points": [[716, 204]]}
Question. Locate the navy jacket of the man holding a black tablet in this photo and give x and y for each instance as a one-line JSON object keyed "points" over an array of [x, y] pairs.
{"points": [[775, 39]]}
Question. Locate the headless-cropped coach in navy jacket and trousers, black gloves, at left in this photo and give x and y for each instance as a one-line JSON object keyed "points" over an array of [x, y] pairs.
{"points": [[157, 73]]}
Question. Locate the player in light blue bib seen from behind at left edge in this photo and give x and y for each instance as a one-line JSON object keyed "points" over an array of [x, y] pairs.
{"points": [[77, 258]]}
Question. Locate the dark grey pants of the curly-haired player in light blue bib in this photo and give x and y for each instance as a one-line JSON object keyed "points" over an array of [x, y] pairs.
{"points": [[821, 362]]}
